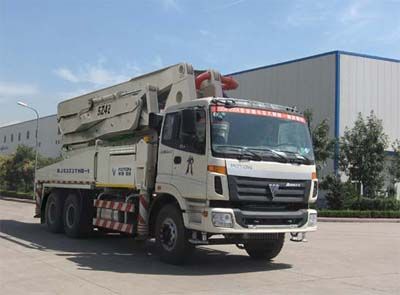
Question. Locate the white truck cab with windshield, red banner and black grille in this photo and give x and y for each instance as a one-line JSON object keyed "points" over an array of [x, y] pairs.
{"points": [[238, 166]]}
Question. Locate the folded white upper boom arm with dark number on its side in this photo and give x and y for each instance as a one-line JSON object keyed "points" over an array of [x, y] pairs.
{"points": [[124, 107]]}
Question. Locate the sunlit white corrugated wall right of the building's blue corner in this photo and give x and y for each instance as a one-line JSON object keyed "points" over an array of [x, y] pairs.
{"points": [[370, 84]]}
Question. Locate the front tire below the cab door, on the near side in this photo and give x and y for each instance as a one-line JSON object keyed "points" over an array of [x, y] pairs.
{"points": [[171, 236]]}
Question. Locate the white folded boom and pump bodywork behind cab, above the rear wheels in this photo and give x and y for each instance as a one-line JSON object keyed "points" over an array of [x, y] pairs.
{"points": [[92, 123]]}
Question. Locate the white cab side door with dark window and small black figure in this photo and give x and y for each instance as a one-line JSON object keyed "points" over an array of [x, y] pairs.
{"points": [[189, 170]]}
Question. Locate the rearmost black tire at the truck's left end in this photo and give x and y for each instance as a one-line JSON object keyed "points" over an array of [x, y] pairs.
{"points": [[54, 213]]}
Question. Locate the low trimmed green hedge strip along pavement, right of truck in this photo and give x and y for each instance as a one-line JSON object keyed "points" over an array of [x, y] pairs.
{"points": [[359, 214]]}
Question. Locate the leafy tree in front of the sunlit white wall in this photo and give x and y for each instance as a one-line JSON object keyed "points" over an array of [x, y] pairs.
{"points": [[362, 154]]}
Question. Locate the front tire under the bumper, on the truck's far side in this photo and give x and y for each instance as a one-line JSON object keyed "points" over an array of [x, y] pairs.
{"points": [[265, 249]]}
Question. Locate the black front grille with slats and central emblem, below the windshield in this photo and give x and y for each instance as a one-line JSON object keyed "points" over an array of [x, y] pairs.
{"points": [[268, 190]]}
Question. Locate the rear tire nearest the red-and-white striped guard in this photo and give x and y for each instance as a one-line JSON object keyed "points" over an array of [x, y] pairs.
{"points": [[77, 216]]}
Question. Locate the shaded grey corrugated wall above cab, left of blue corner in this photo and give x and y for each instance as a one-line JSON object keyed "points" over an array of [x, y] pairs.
{"points": [[307, 83]]}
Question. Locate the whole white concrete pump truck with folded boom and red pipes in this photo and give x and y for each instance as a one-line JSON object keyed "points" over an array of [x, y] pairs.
{"points": [[169, 156]]}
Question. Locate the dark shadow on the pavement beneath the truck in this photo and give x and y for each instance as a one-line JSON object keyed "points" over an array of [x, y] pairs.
{"points": [[113, 252]]}
